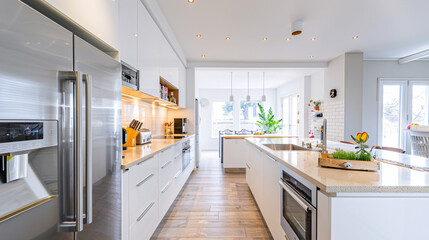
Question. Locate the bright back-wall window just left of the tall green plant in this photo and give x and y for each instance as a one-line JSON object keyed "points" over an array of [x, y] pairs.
{"points": [[249, 114]]}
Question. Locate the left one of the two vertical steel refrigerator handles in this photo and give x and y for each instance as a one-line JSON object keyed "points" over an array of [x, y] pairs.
{"points": [[70, 167]]}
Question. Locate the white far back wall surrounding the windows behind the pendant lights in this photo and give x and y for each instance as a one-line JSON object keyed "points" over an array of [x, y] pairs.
{"points": [[207, 142]]}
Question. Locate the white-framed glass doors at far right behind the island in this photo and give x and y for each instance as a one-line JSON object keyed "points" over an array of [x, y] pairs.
{"points": [[401, 102]]}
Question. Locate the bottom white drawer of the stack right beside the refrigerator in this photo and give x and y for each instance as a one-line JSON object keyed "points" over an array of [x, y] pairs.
{"points": [[146, 223]]}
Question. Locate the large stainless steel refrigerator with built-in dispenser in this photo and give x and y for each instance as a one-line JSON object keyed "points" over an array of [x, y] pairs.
{"points": [[60, 132]]}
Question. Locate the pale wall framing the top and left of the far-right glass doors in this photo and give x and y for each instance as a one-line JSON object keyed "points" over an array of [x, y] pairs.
{"points": [[372, 70]]}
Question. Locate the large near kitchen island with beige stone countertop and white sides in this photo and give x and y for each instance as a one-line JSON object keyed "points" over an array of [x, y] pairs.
{"points": [[392, 203]]}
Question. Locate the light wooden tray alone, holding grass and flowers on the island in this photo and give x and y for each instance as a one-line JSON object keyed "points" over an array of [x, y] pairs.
{"points": [[326, 161]]}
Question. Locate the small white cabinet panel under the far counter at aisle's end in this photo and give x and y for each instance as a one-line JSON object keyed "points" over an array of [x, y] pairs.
{"points": [[235, 153]]}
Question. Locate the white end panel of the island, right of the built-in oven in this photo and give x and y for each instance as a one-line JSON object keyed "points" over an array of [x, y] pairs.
{"points": [[373, 216]]}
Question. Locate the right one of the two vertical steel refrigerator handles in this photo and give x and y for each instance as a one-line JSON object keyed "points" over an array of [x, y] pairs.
{"points": [[88, 163]]}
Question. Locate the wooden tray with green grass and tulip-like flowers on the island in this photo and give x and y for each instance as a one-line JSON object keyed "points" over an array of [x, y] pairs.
{"points": [[360, 160]]}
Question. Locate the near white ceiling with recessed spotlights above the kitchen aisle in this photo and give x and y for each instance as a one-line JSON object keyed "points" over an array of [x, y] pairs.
{"points": [[387, 29]]}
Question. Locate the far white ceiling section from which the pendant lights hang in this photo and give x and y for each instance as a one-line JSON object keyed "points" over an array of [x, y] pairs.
{"points": [[221, 78]]}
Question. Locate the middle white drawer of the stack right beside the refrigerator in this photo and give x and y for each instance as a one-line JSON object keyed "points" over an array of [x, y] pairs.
{"points": [[142, 194]]}
